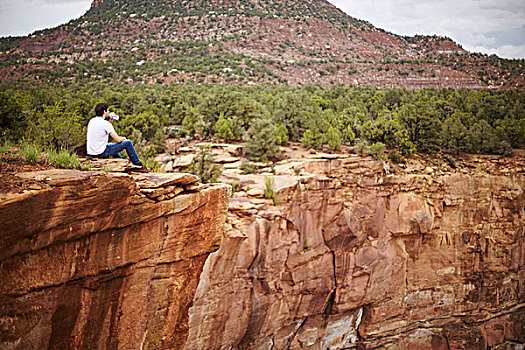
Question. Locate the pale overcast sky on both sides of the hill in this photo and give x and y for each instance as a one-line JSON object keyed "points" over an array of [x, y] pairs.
{"points": [[488, 26]]}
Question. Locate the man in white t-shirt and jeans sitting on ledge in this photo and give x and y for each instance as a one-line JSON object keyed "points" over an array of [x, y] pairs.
{"points": [[97, 138]]}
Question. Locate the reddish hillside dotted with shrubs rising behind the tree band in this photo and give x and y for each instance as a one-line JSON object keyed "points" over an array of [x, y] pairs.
{"points": [[245, 42]]}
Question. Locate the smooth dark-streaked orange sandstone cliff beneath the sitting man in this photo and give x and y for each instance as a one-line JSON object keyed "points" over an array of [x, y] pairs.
{"points": [[105, 261]]}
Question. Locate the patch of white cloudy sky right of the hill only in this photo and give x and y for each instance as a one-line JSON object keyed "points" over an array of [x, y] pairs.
{"points": [[481, 24]]}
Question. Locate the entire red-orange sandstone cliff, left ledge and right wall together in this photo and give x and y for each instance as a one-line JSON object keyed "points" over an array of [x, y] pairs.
{"points": [[351, 253]]}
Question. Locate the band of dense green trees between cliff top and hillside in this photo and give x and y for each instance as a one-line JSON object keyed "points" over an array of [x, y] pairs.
{"points": [[267, 116]]}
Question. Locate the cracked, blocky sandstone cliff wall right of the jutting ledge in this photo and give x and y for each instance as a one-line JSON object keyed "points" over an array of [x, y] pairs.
{"points": [[355, 256]]}
